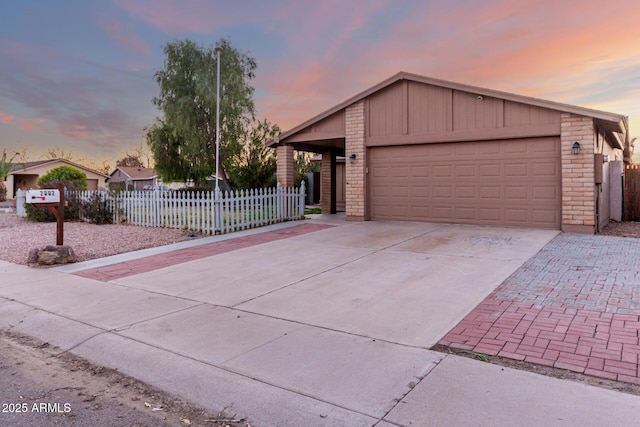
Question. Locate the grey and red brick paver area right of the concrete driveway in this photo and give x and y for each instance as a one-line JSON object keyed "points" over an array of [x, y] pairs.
{"points": [[575, 306]]}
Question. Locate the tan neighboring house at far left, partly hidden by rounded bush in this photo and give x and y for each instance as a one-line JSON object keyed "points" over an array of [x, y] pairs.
{"points": [[25, 175]]}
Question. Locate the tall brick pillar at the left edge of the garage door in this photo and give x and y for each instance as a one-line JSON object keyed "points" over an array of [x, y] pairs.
{"points": [[355, 172]]}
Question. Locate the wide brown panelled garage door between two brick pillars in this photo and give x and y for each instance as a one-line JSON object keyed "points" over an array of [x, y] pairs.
{"points": [[510, 182]]}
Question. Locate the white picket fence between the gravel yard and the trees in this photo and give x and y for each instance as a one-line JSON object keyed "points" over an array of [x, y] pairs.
{"points": [[200, 211]]}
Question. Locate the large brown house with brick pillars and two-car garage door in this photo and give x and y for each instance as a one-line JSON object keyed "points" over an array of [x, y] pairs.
{"points": [[422, 149]]}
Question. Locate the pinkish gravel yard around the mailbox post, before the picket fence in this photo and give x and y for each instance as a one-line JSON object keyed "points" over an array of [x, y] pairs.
{"points": [[18, 236]]}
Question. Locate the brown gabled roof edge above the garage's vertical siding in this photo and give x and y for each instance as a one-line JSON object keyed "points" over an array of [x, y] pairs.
{"points": [[609, 122]]}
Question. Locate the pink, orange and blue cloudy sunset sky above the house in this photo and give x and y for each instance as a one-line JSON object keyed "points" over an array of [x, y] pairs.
{"points": [[78, 74]]}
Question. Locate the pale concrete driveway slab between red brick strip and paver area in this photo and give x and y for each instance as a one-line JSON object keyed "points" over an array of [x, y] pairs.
{"points": [[406, 283]]}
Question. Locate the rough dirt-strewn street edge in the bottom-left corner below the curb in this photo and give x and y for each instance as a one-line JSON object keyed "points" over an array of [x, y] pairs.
{"points": [[33, 373]]}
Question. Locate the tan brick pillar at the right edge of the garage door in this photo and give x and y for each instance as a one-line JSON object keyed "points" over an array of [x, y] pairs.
{"points": [[578, 180]]}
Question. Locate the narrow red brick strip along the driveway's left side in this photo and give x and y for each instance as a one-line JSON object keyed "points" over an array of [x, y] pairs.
{"points": [[155, 262]]}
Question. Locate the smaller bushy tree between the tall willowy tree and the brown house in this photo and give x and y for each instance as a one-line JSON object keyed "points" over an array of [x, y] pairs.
{"points": [[255, 165]]}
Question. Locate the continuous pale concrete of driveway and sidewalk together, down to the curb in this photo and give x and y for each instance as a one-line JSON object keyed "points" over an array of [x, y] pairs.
{"points": [[326, 328]]}
